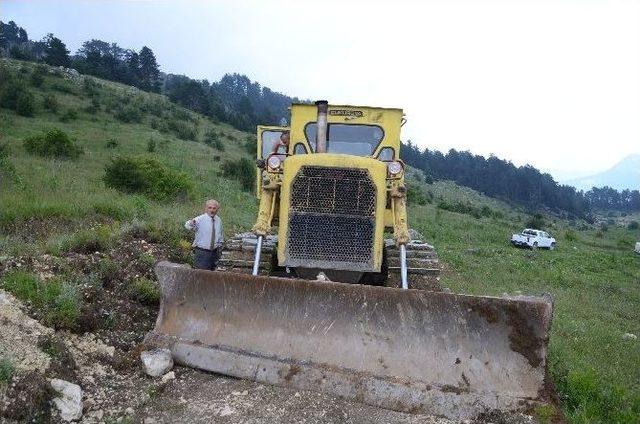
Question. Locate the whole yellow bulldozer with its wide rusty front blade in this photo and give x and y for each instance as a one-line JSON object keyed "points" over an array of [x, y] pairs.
{"points": [[316, 297]]}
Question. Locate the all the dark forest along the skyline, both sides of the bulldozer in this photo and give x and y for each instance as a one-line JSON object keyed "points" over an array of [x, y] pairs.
{"points": [[243, 103]]}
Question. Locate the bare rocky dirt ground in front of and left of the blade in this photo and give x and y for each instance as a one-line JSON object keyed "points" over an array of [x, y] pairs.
{"points": [[101, 355]]}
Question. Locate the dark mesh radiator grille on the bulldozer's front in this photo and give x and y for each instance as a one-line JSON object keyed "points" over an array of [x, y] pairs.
{"points": [[331, 218]]}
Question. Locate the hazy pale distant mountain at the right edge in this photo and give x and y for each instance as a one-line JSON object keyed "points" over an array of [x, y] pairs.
{"points": [[624, 175]]}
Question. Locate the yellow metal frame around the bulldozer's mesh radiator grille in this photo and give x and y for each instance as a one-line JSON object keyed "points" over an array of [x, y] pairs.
{"points": [[377, 170]]}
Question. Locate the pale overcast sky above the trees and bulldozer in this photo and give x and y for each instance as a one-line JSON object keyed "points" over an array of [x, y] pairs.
{"points": [[552, 83]]}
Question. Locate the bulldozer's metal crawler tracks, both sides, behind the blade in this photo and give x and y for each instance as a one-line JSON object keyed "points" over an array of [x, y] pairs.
{"points": [[423, 268]]}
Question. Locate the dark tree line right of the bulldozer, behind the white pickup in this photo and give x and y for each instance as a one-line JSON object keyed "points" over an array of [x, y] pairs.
{"points": [[524, 185]]}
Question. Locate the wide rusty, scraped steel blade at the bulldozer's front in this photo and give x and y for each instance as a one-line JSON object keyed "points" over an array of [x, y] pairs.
{"points": [[409, 350]]}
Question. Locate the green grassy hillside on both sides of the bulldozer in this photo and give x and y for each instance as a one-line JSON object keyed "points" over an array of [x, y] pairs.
{"points": [[49, 205]]}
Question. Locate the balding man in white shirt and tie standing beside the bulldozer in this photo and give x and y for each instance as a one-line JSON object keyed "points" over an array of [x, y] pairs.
{"points": [[207, 243]]}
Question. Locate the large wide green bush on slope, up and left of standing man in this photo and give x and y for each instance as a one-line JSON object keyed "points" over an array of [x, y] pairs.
{"points": [[147, 176]]}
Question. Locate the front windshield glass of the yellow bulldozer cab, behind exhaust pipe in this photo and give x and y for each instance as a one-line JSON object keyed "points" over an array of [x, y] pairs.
{"points": [[350, 139]]}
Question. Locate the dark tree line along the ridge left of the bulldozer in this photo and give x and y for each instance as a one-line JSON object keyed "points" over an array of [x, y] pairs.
{"points": [[235, 99]]}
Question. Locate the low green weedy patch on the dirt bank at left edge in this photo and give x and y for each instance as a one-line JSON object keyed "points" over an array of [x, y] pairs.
{"points": [[55, 302]]}
